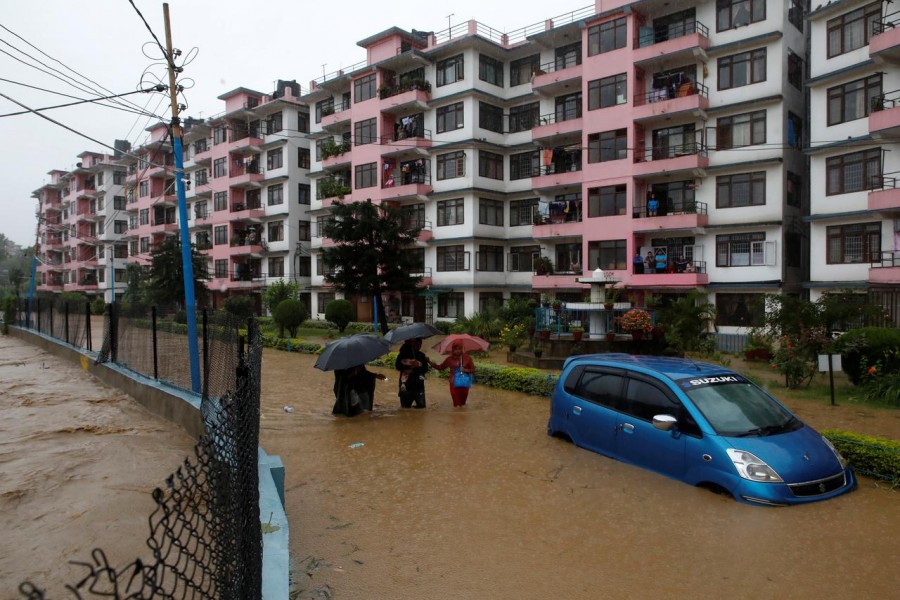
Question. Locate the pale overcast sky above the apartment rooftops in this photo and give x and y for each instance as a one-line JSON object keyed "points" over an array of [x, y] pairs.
{"points": [[239, 44]]}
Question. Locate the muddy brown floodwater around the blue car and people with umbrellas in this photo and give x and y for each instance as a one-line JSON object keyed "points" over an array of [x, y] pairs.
{"points": [[481, 503]]}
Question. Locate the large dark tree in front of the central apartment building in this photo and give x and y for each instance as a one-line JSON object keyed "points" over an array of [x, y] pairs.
{"points": [[371, 254]]}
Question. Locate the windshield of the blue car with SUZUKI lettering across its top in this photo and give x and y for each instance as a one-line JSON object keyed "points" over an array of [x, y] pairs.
{"points": [[734, 407]]}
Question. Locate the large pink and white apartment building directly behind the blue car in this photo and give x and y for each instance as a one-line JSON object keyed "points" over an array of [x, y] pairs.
{"points": [[622, 128]]}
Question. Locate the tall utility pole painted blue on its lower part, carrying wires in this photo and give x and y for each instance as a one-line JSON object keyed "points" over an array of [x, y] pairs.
{"points": [[190, 303]]}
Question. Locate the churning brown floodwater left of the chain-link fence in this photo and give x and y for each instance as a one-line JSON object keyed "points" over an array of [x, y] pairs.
{"points": [[78, 462]]}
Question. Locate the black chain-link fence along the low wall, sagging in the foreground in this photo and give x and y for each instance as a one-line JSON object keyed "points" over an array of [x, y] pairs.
{"points": [[205, 534]]}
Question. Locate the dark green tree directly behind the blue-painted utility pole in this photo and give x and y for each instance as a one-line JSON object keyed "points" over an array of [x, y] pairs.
{"points": [[165, 281]]}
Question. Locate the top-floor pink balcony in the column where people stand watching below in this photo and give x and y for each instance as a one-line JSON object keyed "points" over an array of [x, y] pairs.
{"points": [[672, 44]]}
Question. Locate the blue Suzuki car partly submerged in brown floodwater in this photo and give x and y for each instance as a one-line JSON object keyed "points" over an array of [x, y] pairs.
{"points": [[696, 422]]}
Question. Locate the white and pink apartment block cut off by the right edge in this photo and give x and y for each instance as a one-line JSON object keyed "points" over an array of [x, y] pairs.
{"points": [[855, 116]]}
